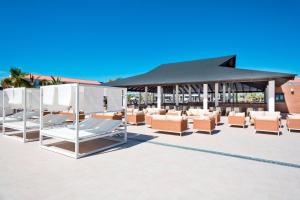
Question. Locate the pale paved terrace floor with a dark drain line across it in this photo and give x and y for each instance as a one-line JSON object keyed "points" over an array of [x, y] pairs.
{"points": [[234, 163]]}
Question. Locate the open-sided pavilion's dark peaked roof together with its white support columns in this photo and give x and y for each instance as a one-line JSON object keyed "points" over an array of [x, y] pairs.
{"points": [[215, 75]]}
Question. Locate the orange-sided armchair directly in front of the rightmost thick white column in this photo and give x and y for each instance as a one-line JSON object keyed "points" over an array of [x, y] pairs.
{"points": [[267, 124]]}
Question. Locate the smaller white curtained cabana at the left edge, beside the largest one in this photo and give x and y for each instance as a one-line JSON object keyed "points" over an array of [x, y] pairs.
{"points": [[25, 103]]}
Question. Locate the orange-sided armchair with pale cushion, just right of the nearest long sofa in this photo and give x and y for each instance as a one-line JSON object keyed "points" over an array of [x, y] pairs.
{"points": [[204, 123]]}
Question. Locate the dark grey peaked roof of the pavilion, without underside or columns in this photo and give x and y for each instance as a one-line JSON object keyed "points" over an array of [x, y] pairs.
{"points": [[220, 69]]}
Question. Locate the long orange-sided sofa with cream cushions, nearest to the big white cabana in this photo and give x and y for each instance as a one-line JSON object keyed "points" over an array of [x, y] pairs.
{"points": [[169, 123]]}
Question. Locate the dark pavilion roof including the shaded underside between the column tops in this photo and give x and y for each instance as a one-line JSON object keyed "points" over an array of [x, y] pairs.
{"points": [[195, 73]]}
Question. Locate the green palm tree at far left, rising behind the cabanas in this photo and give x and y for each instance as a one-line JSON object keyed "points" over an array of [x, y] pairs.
{"points": [[17, 79]]}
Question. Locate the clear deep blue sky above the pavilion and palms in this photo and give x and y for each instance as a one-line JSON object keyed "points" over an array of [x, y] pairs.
{"points": [[108, 39]]}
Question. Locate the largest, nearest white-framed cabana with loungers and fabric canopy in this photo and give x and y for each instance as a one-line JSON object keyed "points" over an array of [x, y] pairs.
{"points": [[88, 99]]}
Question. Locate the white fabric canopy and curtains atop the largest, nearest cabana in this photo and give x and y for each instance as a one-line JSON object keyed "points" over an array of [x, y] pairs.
{"points": [[90, 97]]}
